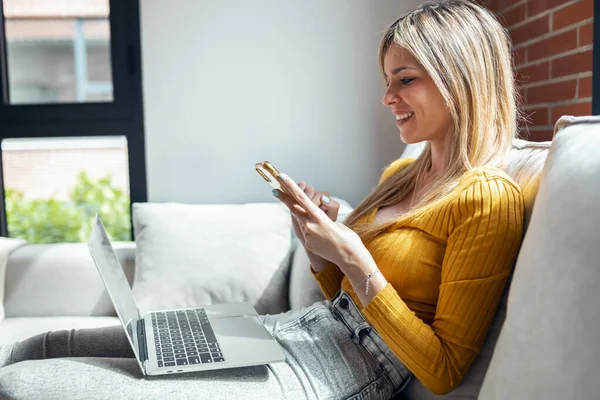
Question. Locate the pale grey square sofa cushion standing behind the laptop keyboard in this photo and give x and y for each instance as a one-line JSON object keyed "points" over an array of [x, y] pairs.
{"points": [[193, 255]]}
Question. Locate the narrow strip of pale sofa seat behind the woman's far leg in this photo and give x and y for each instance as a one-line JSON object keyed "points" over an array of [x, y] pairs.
{"points": [[15, 329]]}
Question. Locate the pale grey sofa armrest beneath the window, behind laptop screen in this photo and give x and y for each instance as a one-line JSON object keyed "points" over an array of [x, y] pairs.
{"points": [[60, 279]]}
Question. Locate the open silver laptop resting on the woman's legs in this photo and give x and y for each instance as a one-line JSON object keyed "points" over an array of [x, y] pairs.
{"points": [[183, 340]]}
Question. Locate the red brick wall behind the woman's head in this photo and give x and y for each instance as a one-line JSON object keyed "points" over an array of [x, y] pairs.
{"points": [[553, 44]]}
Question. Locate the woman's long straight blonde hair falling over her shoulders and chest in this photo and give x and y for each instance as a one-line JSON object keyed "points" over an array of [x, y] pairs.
{"points": [[468, 55]]}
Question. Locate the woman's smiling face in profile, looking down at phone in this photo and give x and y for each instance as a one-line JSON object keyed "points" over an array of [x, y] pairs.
{"points": [[419, 109]]}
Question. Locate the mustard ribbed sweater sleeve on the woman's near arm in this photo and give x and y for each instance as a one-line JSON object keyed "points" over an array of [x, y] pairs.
{"points": [[486, 227]]}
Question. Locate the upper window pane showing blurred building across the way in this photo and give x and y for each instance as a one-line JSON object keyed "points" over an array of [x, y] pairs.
{"points": [[58, 54]]}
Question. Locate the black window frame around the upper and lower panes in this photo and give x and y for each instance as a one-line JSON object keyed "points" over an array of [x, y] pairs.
{"points": [[122, 117]]}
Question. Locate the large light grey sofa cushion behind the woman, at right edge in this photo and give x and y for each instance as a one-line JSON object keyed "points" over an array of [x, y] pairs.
{"points": [[548, 347]]}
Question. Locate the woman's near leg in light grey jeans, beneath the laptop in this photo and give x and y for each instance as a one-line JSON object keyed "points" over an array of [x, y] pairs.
{"points": [[121, 378]]}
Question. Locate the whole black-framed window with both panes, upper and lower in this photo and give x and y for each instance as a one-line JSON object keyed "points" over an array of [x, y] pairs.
{"points": [[71, 118]]}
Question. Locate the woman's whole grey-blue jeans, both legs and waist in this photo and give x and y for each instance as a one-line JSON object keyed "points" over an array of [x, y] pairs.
{"points": [[332, 352]]}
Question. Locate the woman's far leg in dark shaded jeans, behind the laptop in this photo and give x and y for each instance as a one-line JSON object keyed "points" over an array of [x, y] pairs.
{"points": [[98, 342]]}
